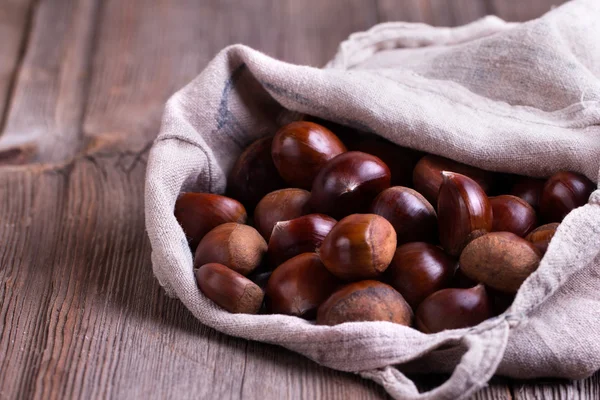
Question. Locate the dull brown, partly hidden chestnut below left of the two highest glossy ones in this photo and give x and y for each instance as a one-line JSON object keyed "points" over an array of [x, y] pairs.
{"points": [[280, 205]]}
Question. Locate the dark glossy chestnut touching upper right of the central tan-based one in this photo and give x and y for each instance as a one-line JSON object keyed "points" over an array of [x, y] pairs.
{"points": [[411, 215]]}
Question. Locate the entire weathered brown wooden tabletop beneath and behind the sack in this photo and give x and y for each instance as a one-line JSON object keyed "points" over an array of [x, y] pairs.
{"points": [[82, 86]]}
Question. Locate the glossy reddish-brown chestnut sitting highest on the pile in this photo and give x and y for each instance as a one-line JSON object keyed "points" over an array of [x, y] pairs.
{"points": [[300, 150]]}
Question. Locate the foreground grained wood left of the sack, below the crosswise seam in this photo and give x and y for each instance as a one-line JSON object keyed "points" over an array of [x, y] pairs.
{"points": [[83, 317]]}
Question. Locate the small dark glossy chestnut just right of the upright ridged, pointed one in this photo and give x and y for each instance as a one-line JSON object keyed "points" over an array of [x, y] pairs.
{"points": [[512, 214]]}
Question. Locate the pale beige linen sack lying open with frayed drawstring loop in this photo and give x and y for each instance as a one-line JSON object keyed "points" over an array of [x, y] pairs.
{"points": [[522, 98]]}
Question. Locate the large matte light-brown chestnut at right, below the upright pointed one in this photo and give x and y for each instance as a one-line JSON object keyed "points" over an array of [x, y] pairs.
{"points": [[500, 260]]}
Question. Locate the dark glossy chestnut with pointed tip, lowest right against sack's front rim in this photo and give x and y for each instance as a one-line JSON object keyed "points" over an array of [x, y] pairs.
{"points": [[453, 309]]}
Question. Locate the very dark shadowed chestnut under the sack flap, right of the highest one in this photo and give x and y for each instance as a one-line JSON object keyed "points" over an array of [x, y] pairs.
{"points": [[400, 160]]}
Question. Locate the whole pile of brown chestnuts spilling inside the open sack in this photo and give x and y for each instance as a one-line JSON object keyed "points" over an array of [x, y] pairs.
{"points": [[351, 227]]}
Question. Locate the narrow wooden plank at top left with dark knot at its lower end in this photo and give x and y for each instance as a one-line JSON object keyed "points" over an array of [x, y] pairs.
{"points": [[43, 122]]}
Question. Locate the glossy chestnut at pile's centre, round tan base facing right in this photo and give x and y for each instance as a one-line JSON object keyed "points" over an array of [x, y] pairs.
{"points": [[360, 246]]}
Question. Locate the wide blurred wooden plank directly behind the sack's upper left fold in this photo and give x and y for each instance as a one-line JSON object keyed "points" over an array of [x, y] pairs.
{"points": [[149, 49]]}
